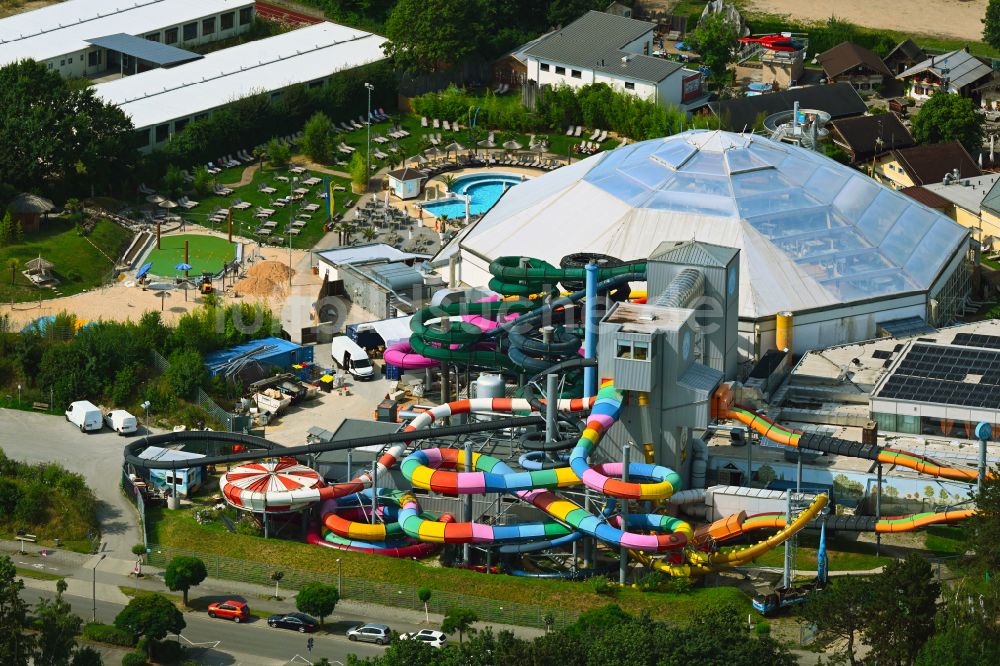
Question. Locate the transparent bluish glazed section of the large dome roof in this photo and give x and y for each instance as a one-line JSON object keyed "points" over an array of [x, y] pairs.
{"points": [[854, 237]]}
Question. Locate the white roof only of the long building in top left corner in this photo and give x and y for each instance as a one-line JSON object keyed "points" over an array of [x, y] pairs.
{"points": [[65, 27]]}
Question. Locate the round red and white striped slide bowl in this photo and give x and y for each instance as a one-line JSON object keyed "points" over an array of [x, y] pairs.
{"points": [[274, 486]]}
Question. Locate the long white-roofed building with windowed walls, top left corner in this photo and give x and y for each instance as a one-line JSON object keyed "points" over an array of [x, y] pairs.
{"points": [[61, 35]]}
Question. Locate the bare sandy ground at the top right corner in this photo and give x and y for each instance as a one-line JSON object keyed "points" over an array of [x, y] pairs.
{"points": [[957, 19]]}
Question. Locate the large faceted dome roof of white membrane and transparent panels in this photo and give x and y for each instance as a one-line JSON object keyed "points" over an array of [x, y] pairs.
{"points": [[812, 232]]}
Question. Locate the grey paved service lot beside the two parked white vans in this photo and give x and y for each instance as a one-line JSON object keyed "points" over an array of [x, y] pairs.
{"points": [[38, 438]]}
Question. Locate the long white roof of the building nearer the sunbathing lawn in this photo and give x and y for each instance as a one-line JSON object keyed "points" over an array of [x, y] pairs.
{"points": [[303, 55]]}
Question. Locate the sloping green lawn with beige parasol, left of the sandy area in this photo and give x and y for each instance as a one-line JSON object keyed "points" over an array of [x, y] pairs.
{"points": [[81, 263]]}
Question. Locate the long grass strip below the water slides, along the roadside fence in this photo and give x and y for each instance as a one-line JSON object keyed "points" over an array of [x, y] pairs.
{"points": [[179, 529]]}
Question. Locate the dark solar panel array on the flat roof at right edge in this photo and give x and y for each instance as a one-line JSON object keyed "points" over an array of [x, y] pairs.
{"points": [[947, 375]]}
